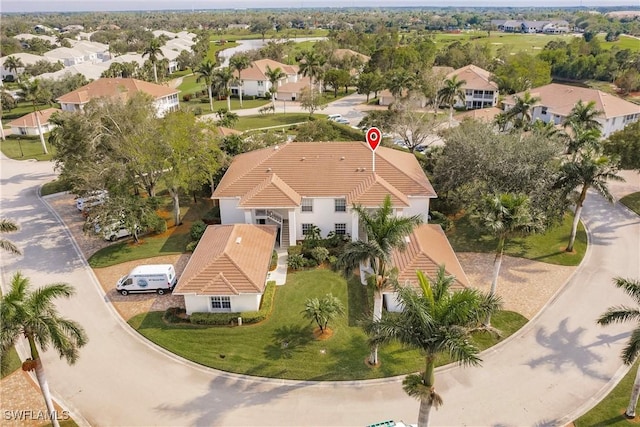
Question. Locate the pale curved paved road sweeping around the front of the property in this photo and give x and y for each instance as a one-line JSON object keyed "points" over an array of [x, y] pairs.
{"points": [[559, 364]]}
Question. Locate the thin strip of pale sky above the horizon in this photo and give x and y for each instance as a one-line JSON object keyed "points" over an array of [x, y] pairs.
{"points": [[10, 6]]}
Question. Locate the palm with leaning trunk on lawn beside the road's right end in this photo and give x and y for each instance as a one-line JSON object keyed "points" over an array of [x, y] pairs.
{"points": [[589, 170]]}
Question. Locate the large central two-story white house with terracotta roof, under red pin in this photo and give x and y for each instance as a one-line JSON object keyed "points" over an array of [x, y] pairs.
{"points": [[299, 185]]}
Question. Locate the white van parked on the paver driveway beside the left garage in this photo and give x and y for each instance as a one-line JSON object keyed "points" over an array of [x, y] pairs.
{"points": [[158, 278]]}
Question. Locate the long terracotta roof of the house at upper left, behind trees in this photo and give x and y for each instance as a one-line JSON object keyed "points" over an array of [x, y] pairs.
{"points": [[111, 87]]}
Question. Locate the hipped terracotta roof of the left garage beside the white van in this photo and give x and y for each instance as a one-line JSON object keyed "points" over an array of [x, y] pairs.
{"points": [[230, 259]]}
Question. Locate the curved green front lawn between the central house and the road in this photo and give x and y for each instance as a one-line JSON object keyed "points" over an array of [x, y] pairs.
{"points": [[283, 346]]}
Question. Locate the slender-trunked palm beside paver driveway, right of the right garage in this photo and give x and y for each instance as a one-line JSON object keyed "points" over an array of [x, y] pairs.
{"points": [[504, 216]]}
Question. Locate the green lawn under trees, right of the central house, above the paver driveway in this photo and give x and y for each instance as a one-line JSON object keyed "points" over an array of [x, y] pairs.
{"points": [[548, 247]]}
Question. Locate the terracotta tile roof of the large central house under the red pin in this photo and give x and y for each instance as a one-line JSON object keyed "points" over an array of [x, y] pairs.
{"points": [[328, 169]]}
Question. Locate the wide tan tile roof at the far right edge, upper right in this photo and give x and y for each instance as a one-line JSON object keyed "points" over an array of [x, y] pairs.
{"points": [[560, 99]]}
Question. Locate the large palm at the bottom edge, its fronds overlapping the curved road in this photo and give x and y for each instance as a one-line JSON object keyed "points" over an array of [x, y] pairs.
{"points": [[435, 321]]}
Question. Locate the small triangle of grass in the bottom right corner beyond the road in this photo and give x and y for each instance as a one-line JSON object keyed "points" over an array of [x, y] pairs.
{"points": [[610, 411]]}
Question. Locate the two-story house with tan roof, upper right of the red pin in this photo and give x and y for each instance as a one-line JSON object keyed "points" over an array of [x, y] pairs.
{"points": [[480, 91]]}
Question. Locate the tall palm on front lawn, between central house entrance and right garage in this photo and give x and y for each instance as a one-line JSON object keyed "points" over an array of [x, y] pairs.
{"points": [[385, 233]]}
